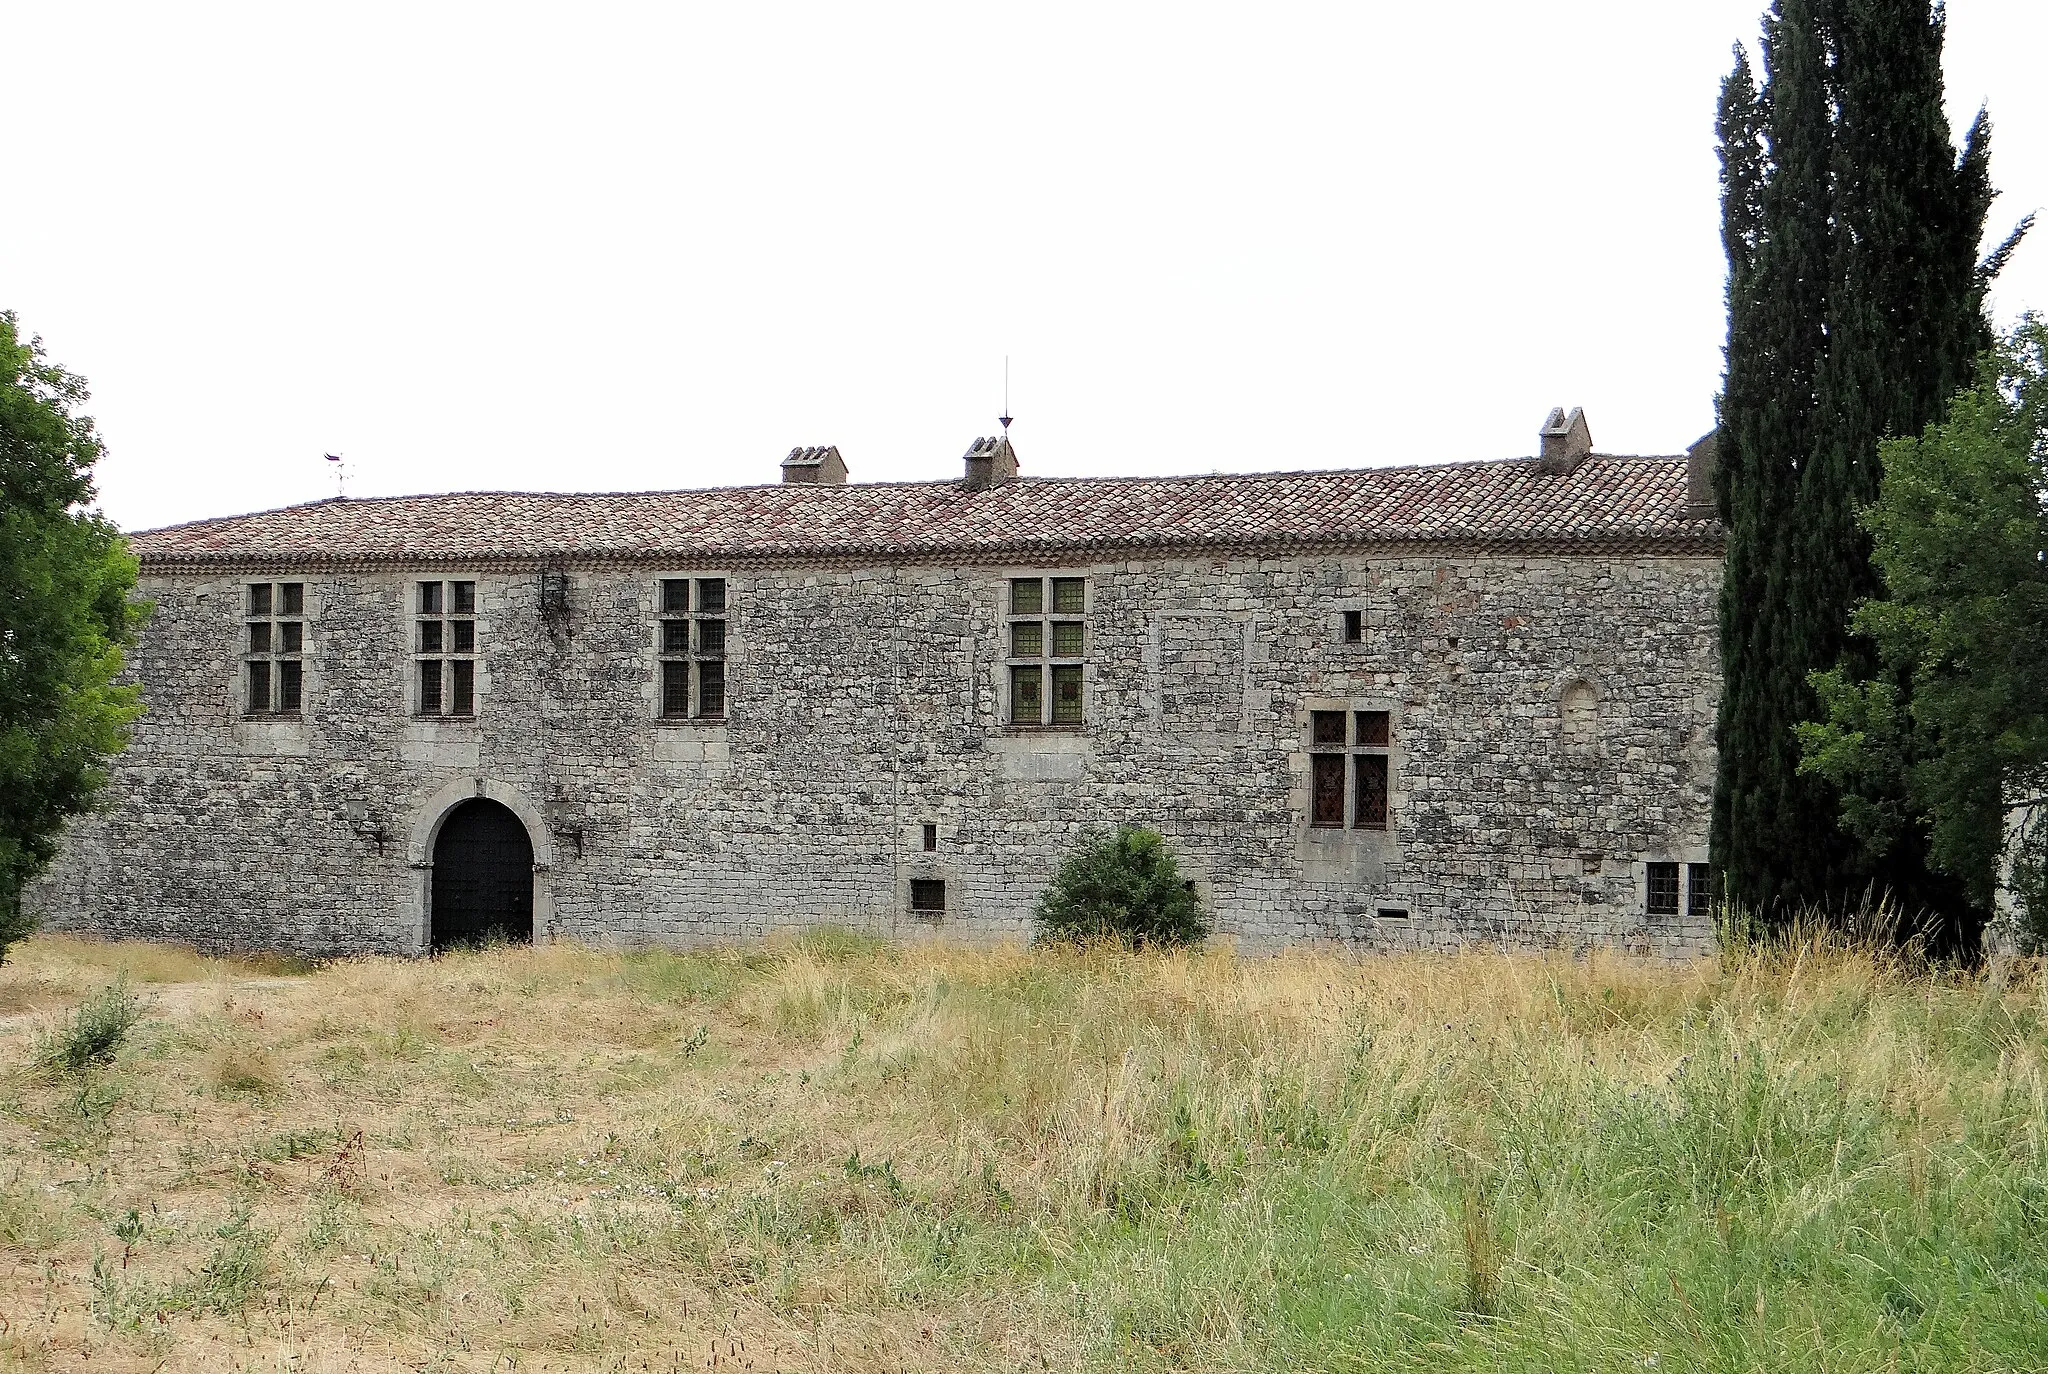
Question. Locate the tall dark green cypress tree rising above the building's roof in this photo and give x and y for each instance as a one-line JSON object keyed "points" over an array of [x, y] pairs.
{"points": [[1857, 308]]}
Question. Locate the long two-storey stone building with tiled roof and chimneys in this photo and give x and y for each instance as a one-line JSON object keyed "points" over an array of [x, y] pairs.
{"points": [[1385, 707]]}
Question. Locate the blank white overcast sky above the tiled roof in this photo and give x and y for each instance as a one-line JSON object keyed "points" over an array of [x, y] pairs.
{"points": [[609, 247]]}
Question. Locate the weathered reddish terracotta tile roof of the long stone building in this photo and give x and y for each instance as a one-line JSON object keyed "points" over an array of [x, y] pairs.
{"points": [[1609, 503]]}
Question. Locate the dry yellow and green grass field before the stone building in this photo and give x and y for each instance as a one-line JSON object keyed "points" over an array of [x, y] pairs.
{"points": [[841, 1156]]}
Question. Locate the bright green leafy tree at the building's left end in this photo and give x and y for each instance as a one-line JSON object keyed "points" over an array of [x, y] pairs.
{"points": [[65, 619]]}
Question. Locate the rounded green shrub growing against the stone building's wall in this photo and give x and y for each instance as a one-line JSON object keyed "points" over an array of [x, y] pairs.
{"points": [[1125, 888]]}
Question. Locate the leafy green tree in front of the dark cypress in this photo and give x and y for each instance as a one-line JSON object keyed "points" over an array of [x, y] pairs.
{"points": [[1953, 726]]}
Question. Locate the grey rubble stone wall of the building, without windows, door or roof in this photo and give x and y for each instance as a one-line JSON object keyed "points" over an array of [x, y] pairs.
{"points": [[867, 703]]}
